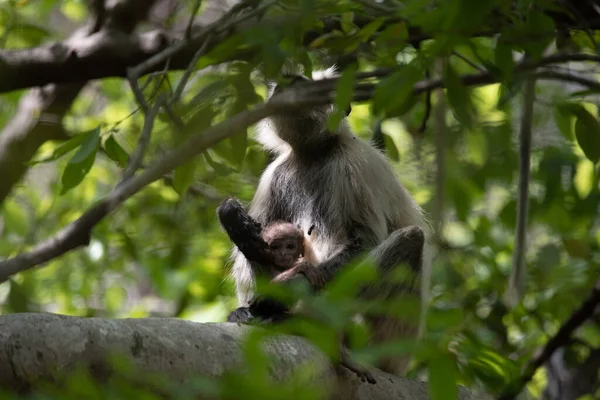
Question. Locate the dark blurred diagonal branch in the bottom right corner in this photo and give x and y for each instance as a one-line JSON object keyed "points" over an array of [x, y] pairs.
{"points": [[562, 337]]}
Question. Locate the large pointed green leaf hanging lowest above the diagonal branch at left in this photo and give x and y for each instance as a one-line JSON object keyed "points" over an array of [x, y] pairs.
{"points": [[81, 163]]}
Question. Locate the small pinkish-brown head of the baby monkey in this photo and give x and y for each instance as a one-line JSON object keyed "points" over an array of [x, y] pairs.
{"points": [[286, 243]]}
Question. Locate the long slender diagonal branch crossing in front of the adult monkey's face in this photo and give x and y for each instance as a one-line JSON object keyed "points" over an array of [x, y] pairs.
{"points": [[304, 95]]}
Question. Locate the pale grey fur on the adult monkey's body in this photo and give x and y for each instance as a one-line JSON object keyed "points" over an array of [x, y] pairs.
{"points": [[339, 183]]}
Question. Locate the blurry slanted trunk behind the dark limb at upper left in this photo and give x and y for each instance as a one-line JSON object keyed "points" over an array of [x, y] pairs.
{"points": [[41, 110]]}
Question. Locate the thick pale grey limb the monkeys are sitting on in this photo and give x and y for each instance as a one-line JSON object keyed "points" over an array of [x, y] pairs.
{"points": [[41, 347]]}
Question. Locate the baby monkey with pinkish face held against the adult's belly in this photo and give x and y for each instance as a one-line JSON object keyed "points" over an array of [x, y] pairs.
{"points": [[288, 245]]}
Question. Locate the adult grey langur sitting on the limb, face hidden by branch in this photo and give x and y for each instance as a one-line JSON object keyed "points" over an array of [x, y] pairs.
{"points": [[348, 190]]}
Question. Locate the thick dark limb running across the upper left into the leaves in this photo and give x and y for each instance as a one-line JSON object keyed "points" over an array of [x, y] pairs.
{"points": [[112, 53]]}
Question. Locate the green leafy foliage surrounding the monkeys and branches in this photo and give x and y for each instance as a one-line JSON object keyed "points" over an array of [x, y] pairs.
{"points": [[163, 253]]}
